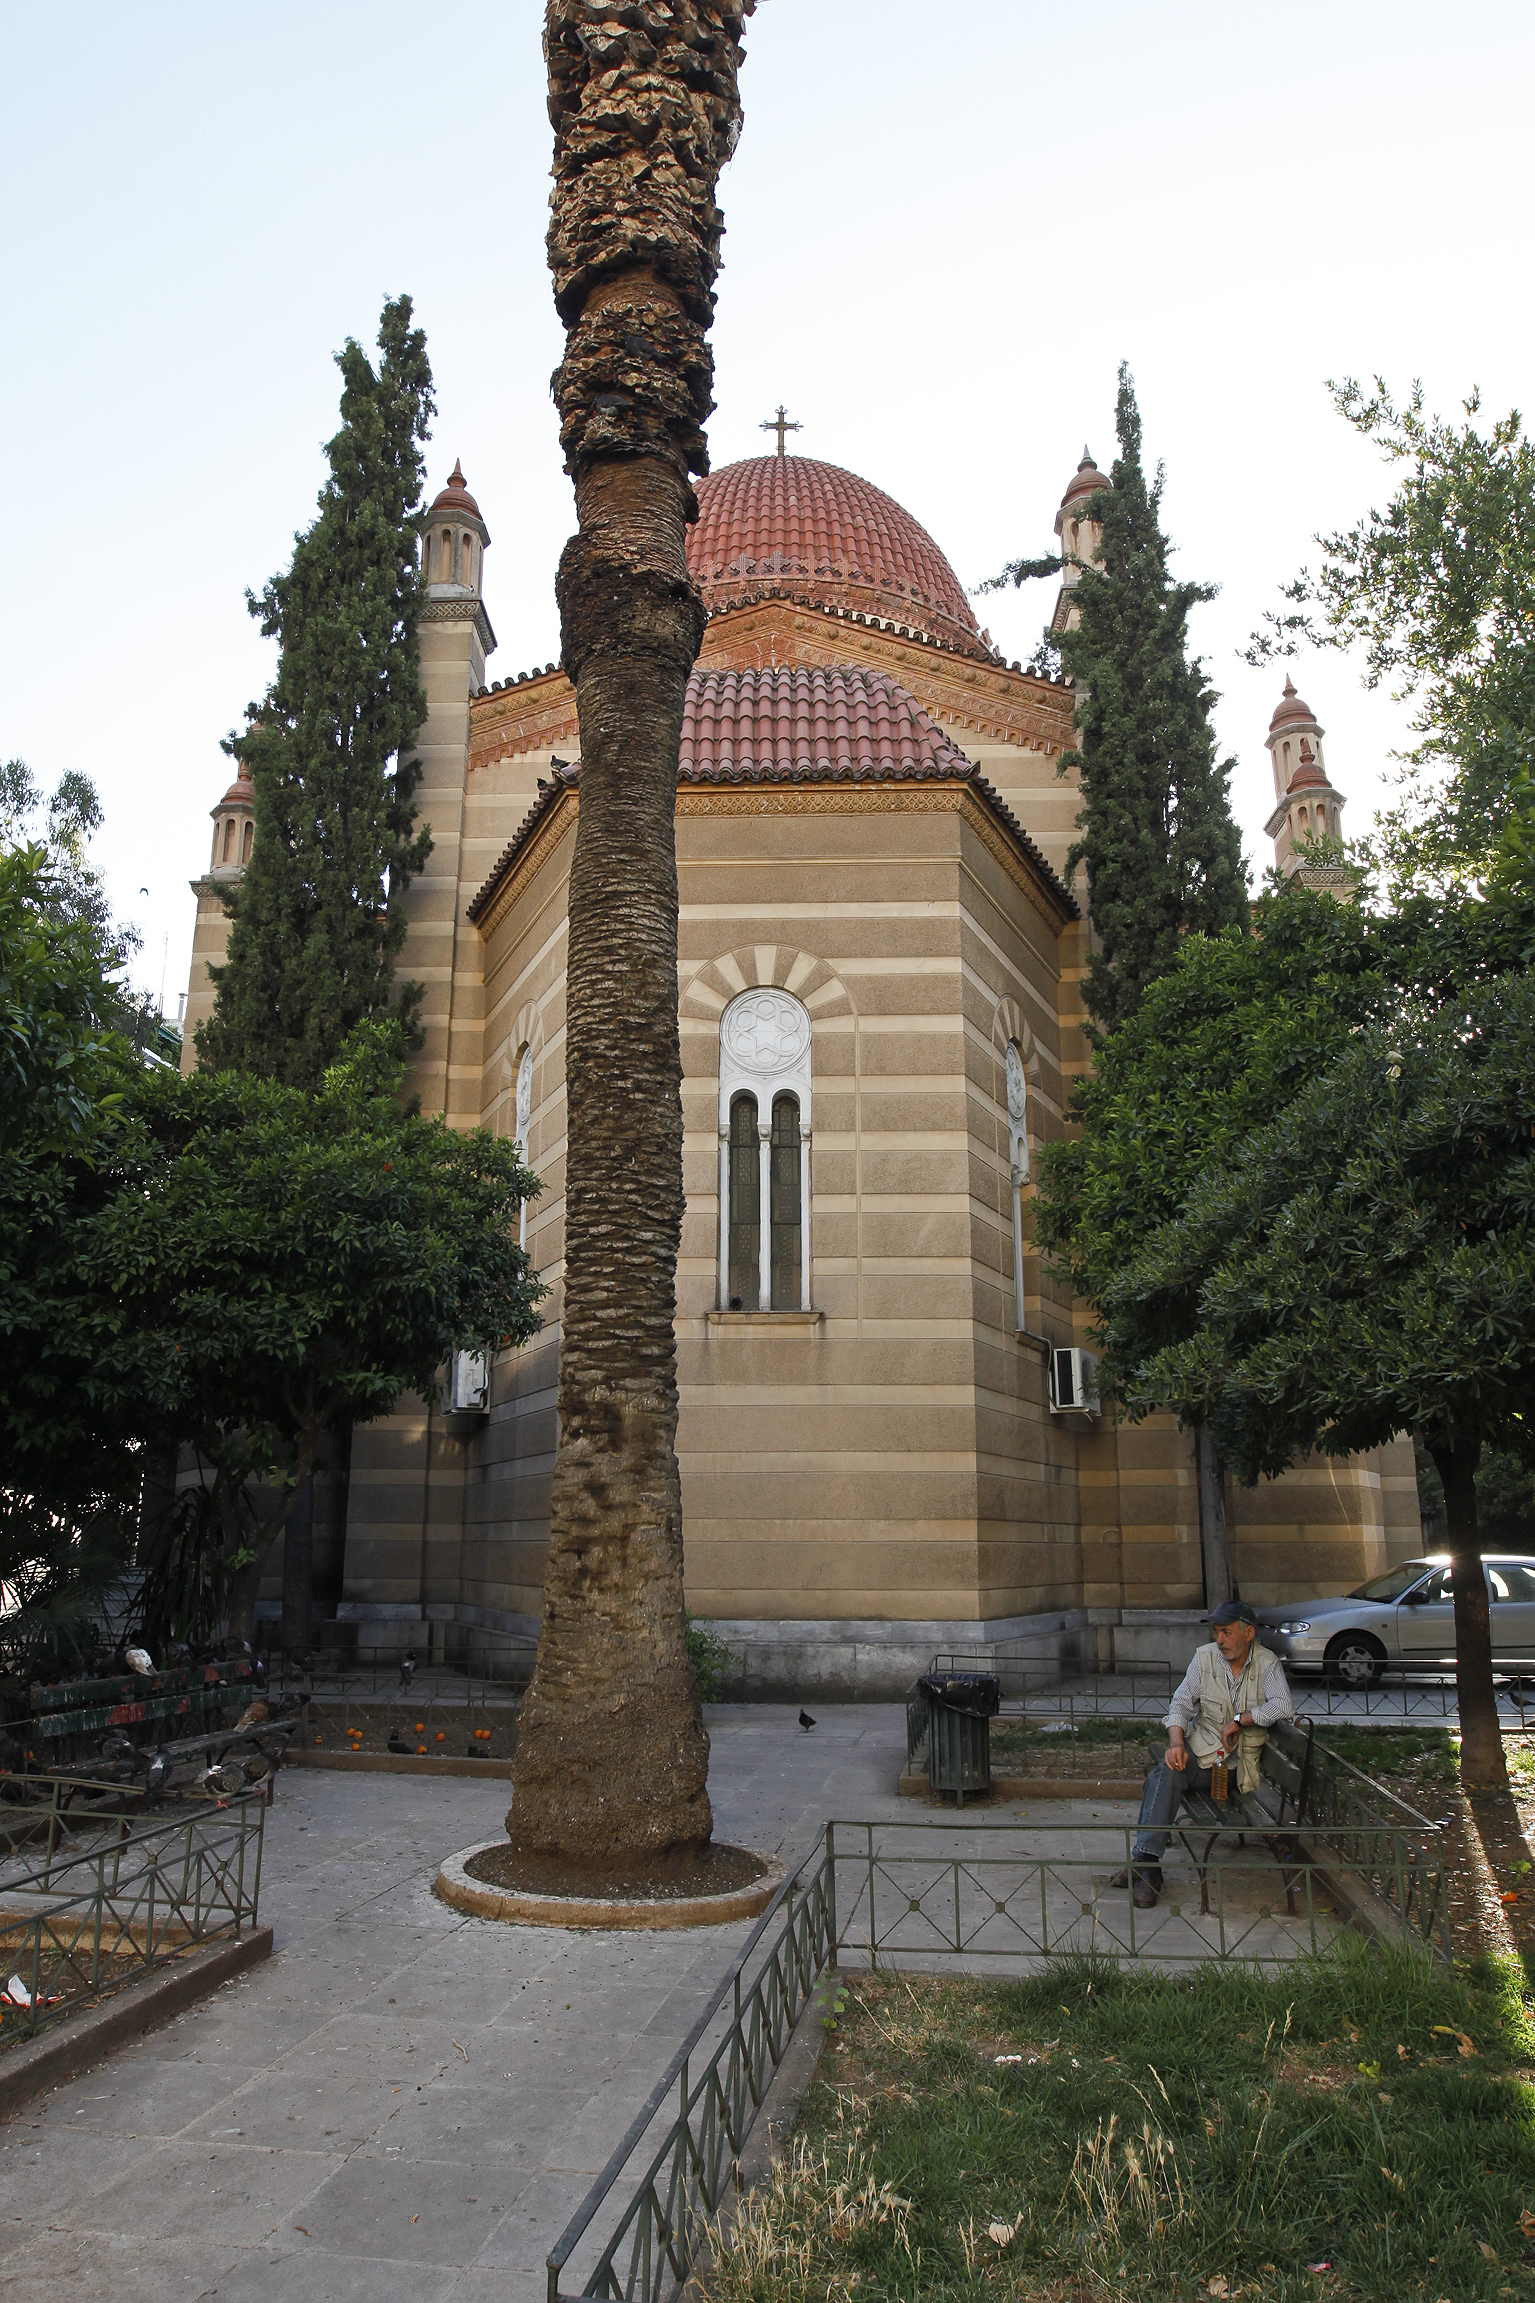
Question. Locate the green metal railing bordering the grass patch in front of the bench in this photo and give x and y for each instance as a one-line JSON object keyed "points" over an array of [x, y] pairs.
{"points": [[998, 1897]]}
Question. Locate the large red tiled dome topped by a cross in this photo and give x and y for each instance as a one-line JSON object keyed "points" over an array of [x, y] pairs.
{"points": [[809, 531]]}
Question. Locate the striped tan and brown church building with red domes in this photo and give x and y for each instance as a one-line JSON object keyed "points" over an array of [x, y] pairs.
{"points": [[889, 1427]]}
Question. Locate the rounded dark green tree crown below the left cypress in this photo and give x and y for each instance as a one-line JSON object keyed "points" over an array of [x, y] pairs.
{"points": [[243, 1268]]}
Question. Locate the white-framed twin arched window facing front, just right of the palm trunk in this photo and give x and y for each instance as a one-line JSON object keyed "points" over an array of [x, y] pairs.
{"points": [[765, 1153]]}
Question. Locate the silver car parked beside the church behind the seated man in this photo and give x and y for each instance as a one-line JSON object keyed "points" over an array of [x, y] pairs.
{"points": [[1403, 1622]]}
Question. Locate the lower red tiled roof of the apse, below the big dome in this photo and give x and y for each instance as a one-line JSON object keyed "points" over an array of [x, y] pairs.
{"points": [[839, 724]]}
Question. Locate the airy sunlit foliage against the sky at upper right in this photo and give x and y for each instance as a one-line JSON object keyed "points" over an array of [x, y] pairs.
{"points": [[1439, 595]]}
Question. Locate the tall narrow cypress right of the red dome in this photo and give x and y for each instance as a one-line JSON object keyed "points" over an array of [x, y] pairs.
{"points": [[1163, 856]]}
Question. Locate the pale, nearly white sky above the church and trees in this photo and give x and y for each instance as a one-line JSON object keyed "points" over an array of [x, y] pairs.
{"points": [[945, 229]]}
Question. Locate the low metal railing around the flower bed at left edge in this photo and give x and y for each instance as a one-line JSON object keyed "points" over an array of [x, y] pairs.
{"points": [[123, 1894]]}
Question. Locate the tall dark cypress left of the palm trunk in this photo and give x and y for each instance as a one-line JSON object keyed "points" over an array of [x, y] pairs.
{"points": [[319, 925]]}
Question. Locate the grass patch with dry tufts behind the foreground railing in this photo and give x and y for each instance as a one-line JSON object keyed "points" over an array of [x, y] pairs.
{"points": [[1113, 2134]]}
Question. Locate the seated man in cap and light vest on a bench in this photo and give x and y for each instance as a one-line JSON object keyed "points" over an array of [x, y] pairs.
{"points": [[1230, 1698]]}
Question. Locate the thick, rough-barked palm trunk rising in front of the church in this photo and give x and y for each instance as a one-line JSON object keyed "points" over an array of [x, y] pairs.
{"points": [[613, 1756]]}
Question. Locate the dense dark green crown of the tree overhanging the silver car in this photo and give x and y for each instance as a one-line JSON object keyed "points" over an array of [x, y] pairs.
{"points": [[1368, 1261]]}
